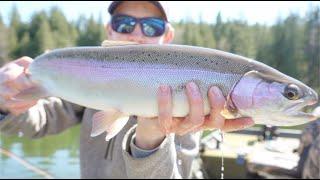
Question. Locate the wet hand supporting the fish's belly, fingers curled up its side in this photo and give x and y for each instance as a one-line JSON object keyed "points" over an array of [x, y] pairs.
{"points": [[151, 131]]}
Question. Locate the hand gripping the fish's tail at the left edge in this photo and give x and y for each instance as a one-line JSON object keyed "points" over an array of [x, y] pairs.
{"points": [[13, 80]]}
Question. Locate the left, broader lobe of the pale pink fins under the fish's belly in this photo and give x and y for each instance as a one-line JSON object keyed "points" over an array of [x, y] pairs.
{"points": [[102, 120]]}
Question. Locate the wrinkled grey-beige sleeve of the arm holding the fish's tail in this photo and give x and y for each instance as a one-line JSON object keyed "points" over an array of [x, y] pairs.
{"points": [[49, 116]]}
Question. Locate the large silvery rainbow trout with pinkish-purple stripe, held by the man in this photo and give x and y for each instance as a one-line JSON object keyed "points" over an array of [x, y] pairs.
{"points": [[121, 79]]}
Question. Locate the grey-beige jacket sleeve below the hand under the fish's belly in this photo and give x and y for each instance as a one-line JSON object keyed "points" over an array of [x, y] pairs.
{"points": [[172, 159]]}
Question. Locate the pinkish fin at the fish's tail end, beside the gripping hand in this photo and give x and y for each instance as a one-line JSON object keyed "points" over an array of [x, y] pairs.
{"points": [[33, 93]]}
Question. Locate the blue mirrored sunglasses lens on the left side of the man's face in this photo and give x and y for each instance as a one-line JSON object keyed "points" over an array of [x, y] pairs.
{"points": [[123, 24]]}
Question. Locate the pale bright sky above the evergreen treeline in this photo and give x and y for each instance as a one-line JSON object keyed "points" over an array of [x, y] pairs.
{"points": [[263, 12]]}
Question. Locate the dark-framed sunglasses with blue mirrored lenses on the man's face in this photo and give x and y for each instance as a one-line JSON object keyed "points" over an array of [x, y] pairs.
{"points": [[150, 26]]}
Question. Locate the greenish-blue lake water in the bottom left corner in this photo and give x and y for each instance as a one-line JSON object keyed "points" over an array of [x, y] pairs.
{"points": [[57, 155]]}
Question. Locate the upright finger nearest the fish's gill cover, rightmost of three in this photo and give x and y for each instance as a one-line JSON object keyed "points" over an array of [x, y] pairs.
{"points": [[217, 101]]}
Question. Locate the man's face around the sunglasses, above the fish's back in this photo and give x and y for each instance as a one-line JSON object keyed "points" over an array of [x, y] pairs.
{"points": [[140, 10]]}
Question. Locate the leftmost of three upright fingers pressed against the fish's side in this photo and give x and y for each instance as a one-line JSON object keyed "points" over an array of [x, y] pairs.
{"points": [[165, 108]]}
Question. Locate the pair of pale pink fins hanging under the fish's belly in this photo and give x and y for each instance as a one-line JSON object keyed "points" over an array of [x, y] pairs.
{"points": [[111, 121]]}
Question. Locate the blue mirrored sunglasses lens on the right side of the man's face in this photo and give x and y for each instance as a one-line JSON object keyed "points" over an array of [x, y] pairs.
{"points": [[153, 27]]}
